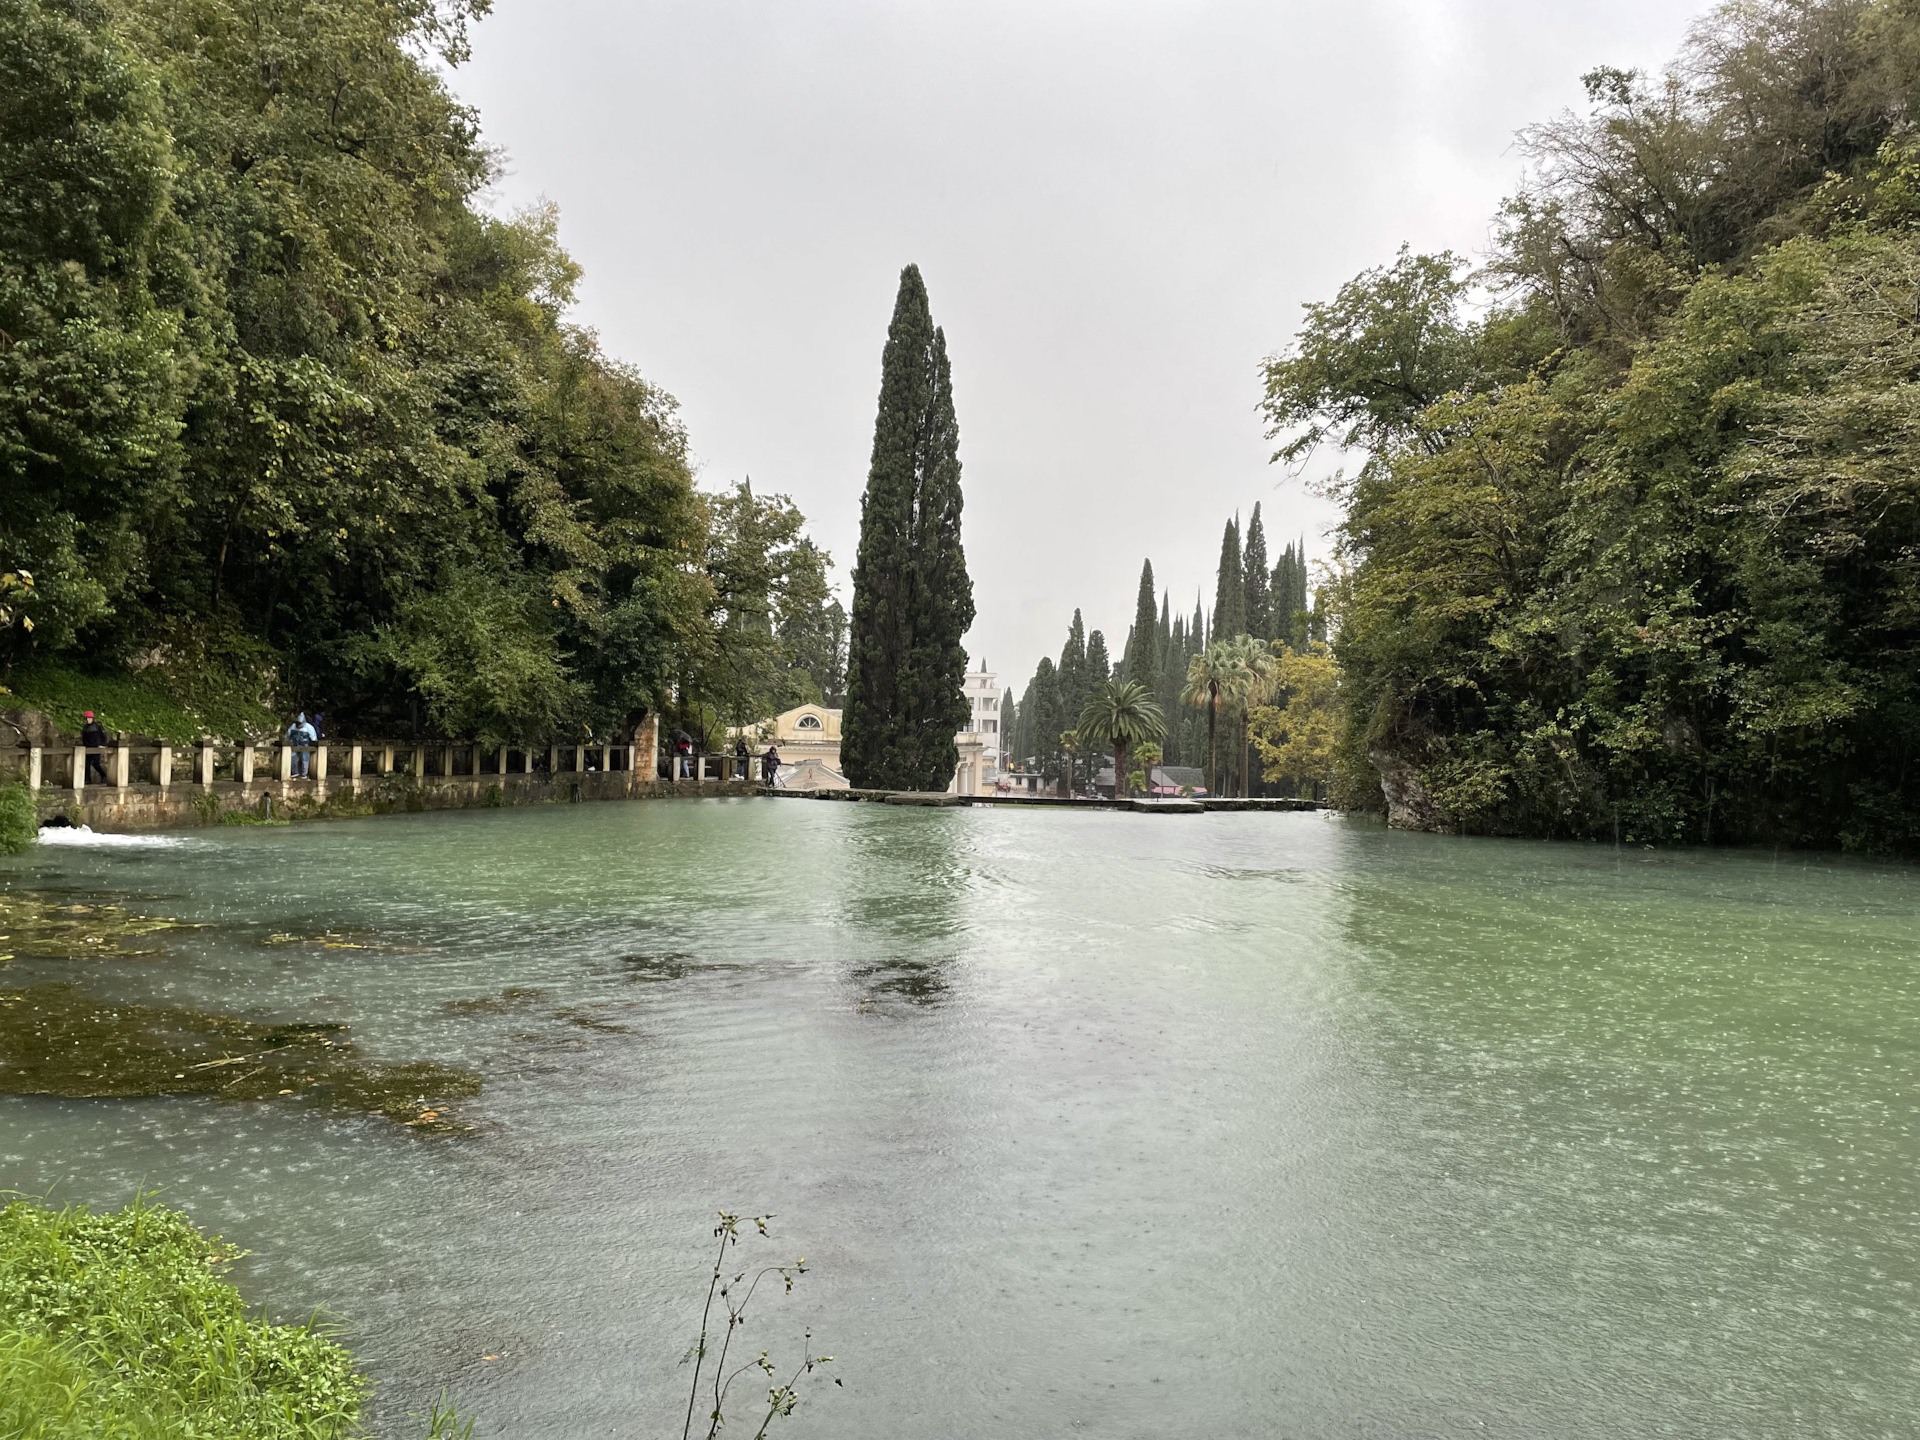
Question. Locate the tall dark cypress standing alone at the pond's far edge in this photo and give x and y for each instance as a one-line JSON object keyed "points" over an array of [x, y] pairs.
{"points": [[911, 594]]}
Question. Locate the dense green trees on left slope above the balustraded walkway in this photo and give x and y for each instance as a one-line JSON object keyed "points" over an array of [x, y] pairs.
{"points": [[276, 385]]}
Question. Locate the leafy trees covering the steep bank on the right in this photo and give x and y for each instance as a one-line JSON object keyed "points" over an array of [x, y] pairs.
{"points": [[1639, 556]]}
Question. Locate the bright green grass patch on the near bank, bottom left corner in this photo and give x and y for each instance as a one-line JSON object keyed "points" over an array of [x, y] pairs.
{"points": [[120, 1328]]}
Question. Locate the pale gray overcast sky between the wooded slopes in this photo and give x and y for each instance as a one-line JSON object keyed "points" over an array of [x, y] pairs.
{"points": [[1118, 210]]}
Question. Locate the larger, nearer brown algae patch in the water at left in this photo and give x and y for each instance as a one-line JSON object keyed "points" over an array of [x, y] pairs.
{"points": [[57, 1040]]}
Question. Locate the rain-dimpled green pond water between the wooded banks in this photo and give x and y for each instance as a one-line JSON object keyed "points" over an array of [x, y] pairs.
{"points": [[1088, 1124]]}
